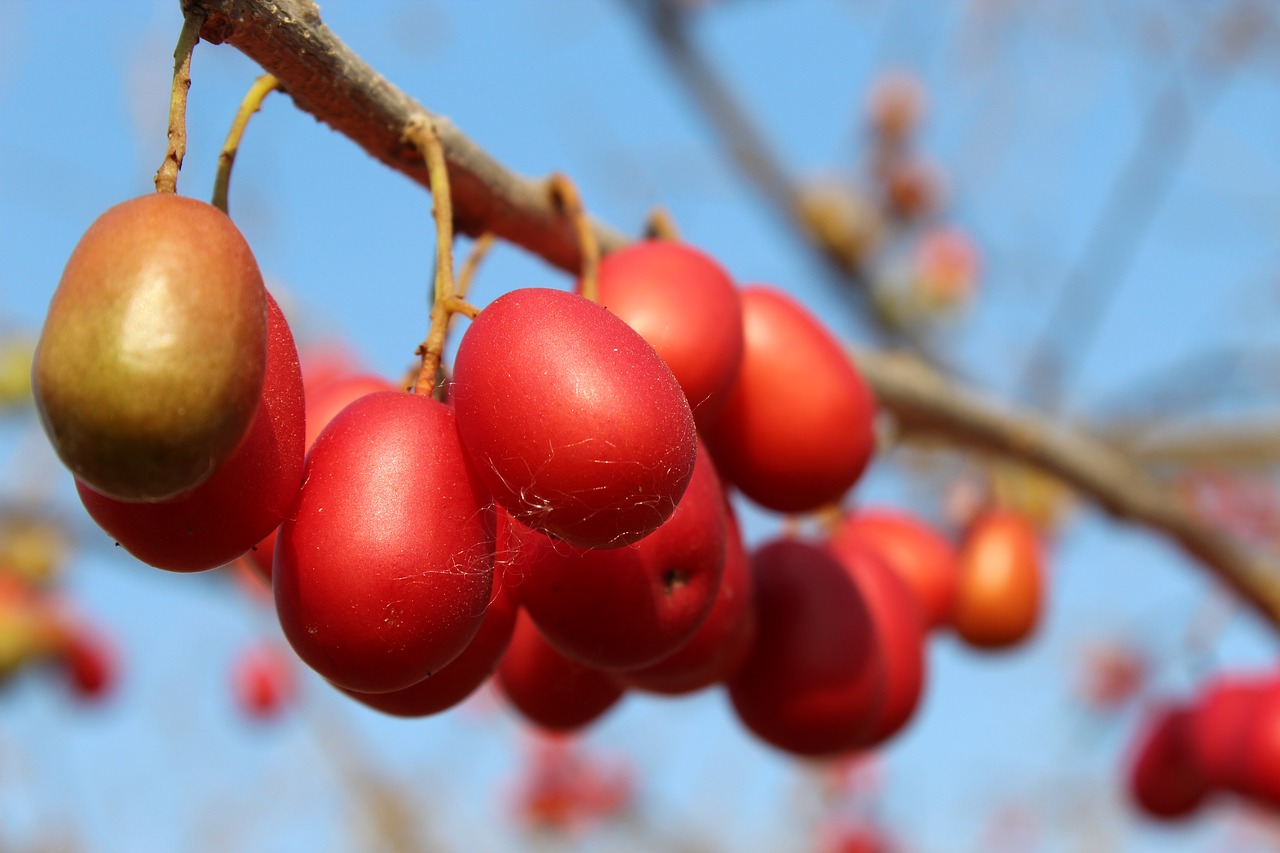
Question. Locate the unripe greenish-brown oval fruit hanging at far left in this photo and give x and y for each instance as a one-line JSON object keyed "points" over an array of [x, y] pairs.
{"points": [[150, 364]]}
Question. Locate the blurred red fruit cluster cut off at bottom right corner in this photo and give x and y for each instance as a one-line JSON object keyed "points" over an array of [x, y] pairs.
{"points": [[1228, 742]]}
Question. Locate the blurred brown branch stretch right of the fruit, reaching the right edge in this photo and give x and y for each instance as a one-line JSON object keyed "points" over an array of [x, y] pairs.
{"points": [[926, 403]]}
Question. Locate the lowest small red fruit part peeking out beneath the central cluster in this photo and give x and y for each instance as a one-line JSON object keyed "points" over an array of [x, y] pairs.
{"points": [[547, 688]]}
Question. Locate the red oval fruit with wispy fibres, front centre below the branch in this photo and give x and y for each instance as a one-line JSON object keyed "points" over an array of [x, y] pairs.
{"points": [[577, 425]]}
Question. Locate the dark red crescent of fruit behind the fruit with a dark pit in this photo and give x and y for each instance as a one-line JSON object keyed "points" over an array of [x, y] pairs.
{"points": [[719, 649]]}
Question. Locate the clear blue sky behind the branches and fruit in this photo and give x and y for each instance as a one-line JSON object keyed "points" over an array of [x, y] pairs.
{"points": [[1032, 116]]}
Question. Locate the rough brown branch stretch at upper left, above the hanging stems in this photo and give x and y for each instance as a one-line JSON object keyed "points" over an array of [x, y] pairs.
{"points": [[331, 83]]}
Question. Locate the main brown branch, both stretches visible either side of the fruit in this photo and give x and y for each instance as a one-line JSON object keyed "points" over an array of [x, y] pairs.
{"points": [[287, 39]]}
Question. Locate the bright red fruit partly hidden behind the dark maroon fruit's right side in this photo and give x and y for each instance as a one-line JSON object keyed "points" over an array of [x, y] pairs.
{"points": [[899, 636]]}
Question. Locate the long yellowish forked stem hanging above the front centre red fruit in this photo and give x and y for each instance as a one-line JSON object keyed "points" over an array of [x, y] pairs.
{"points": [[422, 133]]}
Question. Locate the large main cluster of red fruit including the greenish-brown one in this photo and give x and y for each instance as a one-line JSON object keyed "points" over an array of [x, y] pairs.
{"points": [[561, 516]]}
